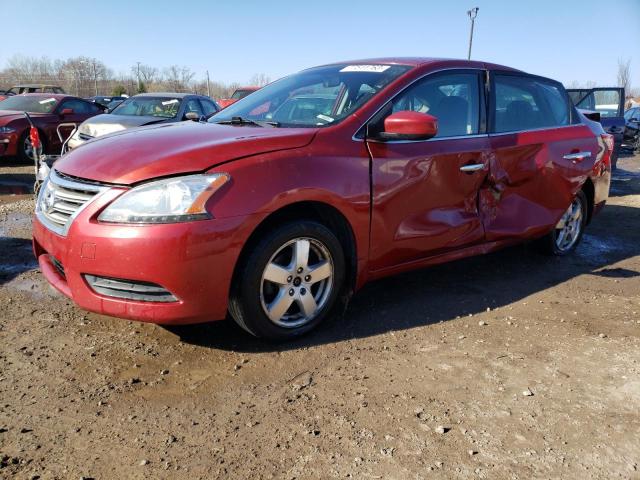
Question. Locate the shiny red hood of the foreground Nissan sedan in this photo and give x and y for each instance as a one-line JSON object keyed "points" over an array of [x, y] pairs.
{"points": [[171, 149]]}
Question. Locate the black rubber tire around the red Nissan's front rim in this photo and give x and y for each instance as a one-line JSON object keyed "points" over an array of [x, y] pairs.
{"points": [[247, 304]]}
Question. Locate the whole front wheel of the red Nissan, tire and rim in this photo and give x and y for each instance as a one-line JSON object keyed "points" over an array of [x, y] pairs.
{"points": [[289, 282]]}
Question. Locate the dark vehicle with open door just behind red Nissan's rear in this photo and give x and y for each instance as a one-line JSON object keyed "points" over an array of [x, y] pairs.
{"points": [[609, 103]]}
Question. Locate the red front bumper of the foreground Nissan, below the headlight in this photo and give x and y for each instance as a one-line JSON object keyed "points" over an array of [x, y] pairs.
{"points": [[192, 260]]}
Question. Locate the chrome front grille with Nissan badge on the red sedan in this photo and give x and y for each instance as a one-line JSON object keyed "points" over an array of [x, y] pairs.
{"points": [[61, 199]]}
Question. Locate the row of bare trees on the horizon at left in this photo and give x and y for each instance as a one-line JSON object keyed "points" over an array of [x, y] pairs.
{"points": [[86, 76]]}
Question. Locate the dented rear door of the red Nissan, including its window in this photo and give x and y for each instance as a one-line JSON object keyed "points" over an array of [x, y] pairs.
{"points": [[542, 156]]}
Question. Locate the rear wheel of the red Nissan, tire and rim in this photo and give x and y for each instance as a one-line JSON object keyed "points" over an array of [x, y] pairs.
{"points": [[567, 234]]}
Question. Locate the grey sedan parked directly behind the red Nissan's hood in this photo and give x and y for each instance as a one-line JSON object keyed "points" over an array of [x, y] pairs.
{"points": [[145, 109]]}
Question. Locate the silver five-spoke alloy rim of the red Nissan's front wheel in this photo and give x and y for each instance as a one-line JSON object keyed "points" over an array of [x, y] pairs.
{"points": [[297, 282]]}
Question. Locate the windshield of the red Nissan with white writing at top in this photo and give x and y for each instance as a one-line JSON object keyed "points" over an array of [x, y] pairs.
{"points": [[316, 97]]}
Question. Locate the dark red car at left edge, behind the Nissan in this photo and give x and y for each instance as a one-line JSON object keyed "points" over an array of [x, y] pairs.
{"points": [[47, 111]]}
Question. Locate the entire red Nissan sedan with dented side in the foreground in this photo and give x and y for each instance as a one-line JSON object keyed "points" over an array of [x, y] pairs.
{"points": [[283, 204]]}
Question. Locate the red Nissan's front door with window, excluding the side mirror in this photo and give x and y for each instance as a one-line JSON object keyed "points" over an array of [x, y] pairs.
{"points": [[425, 193]]}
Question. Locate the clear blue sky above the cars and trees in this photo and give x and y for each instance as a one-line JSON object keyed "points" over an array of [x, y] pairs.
{"points": [[563, 39]]}
